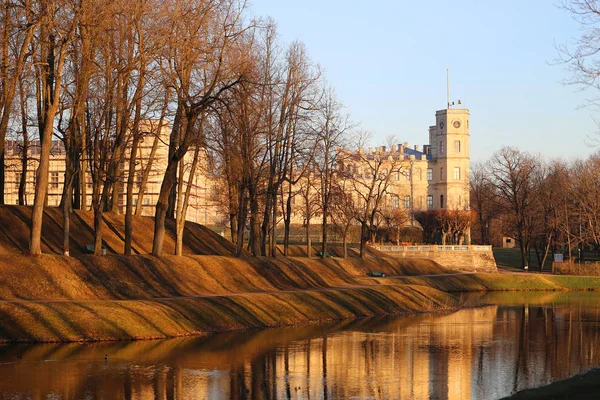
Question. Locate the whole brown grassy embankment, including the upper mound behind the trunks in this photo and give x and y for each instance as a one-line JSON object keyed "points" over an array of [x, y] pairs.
{"points": [[56, 298]]}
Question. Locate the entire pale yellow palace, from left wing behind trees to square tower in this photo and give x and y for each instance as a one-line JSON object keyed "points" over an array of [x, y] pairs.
{"points": [[435, 176]]}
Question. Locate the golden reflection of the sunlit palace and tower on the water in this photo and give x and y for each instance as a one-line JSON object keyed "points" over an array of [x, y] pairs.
{"points": [[432, 359]]}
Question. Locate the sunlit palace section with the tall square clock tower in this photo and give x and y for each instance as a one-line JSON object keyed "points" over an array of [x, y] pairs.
{"points": [[433, 177]]}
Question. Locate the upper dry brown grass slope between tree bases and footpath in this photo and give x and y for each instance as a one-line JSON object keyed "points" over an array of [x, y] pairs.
{"points": [[52, 277]]}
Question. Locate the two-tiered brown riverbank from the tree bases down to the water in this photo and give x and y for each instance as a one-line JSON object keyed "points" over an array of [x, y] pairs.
{"points": [[56, 299]]}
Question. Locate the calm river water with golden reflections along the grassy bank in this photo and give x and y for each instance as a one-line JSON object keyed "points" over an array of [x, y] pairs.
{"points": [[523, 340]]}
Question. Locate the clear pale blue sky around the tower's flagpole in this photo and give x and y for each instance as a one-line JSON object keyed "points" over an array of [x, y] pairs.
{"points": [[387, 61]]}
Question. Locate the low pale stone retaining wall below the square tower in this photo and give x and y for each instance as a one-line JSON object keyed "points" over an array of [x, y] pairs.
{"points": [[459, 258]]}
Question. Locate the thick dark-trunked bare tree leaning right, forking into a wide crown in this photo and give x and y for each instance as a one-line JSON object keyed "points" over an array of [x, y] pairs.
{"points": [[201, 63]]}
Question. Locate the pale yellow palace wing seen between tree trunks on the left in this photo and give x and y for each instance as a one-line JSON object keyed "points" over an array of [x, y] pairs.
{"points": [[153, 146]]}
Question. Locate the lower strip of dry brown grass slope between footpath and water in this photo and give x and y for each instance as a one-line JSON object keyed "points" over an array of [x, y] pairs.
{"points": [[128, 320]]}
